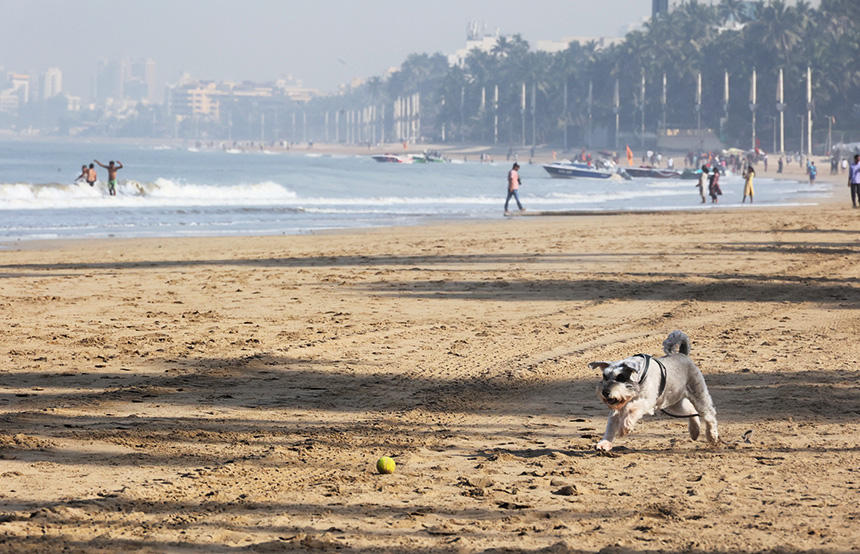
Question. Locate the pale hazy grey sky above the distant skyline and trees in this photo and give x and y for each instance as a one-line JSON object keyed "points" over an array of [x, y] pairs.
{"points": [[321, 42]]}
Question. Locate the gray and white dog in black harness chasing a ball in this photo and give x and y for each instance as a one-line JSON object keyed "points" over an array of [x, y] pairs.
{"points": [[640, 384]]}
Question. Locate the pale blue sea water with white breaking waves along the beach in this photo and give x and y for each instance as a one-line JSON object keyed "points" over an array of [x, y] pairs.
{"points": [[170, 191]]}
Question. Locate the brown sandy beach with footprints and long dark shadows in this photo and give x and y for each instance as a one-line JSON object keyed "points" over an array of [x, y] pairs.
{"points": [[223, 394]]}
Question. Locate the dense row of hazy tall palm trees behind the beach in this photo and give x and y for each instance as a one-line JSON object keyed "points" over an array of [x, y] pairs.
{"points": [[573, 97]]}
